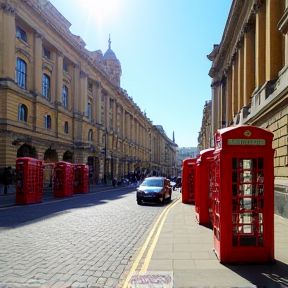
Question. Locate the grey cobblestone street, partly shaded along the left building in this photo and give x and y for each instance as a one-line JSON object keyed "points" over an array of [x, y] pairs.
{"points": [[83, 241]]}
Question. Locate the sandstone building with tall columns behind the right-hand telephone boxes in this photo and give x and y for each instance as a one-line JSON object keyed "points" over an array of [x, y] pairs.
{"points": [[250, 74]]}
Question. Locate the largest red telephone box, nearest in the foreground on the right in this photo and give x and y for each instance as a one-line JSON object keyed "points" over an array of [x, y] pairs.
{"points": [[242, 188]]}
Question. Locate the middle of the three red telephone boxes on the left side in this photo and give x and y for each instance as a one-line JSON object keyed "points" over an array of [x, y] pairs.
{"points": [[63, 176]]}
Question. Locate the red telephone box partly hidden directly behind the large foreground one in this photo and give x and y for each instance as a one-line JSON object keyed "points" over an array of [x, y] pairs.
{"points": [[202, 186]]}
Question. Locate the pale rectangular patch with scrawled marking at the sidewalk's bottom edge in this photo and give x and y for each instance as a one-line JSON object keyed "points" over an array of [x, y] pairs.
{"points": [[155, 279]]}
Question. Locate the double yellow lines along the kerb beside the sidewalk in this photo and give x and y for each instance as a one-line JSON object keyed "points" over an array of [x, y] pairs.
{"points": [[152, 240]]}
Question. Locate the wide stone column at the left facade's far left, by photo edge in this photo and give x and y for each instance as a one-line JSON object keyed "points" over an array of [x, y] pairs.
{"points": [[7, 40]]}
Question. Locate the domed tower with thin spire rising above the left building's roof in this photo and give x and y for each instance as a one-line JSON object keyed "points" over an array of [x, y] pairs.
{"points": [[112, 65]]}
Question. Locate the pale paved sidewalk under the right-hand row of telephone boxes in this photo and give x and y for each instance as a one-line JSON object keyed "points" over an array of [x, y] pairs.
{"points": [[185, 248]]}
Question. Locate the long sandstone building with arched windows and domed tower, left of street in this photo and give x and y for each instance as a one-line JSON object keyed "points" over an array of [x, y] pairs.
{"points": [[59, 101]]}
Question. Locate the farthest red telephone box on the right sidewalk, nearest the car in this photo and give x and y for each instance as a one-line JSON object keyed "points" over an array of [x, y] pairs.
{"points": [[188, 180]]}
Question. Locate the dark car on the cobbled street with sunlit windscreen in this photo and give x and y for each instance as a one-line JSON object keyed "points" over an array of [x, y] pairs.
{"points": [[154, 190]]}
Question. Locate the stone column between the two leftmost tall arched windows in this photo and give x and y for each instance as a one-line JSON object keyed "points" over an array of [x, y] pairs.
{"points": [[37, 63]]}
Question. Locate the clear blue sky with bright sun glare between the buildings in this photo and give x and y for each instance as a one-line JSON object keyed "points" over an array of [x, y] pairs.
{"points": [[162, 46]]}
